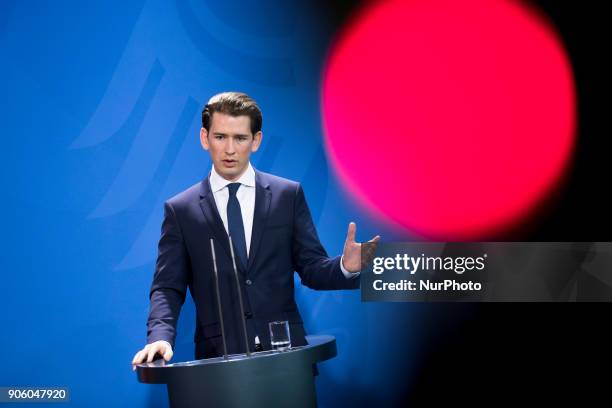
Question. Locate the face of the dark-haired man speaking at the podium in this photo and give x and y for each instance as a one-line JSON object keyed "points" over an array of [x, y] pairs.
{"points": [[230, 144]]}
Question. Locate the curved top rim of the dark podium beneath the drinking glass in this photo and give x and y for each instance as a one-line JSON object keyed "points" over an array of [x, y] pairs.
{"points": [[319, 348]]}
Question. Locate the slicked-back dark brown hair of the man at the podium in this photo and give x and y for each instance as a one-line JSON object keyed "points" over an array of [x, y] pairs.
{"points": [[234, 104]]}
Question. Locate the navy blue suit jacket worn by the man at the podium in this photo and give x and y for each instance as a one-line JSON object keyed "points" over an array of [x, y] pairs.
{"points": [[284, 240]]}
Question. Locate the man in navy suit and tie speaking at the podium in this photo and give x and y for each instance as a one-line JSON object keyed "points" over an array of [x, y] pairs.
{"points": [[272, 233]]}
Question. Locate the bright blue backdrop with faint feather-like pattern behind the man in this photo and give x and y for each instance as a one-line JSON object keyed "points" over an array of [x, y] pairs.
{"points": [[100, 116]]}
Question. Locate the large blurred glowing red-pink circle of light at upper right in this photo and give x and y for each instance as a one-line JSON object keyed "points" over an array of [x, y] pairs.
{"points": [[453, 119]]}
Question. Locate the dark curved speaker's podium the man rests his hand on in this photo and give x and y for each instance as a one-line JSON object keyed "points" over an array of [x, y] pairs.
{"points": [[266, 379]]}
